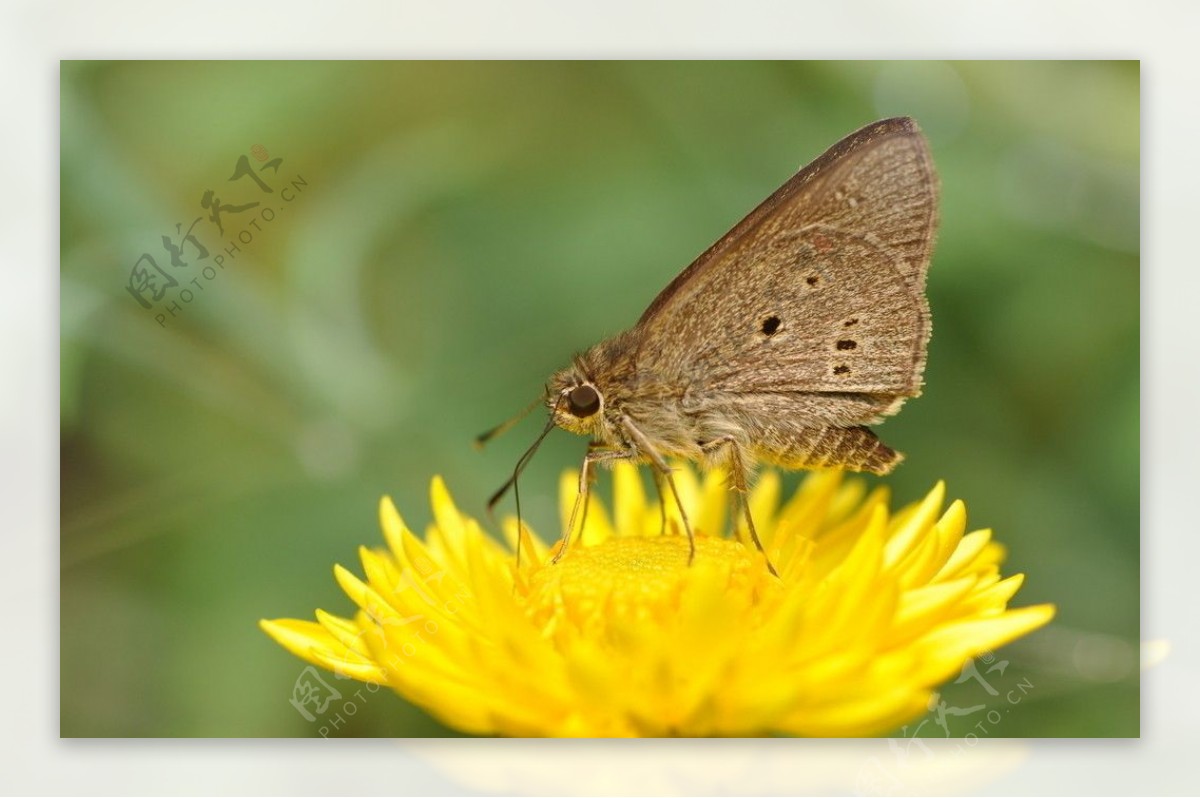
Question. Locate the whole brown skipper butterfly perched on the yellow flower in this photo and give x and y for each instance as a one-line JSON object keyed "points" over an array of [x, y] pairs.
{"points": [[783, 341]]}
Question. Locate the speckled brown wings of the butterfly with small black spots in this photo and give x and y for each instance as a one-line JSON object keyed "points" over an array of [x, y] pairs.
{"points": [[819, 290]]}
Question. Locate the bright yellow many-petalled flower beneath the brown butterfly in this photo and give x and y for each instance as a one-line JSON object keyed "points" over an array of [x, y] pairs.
{"points": [[872, 611]]}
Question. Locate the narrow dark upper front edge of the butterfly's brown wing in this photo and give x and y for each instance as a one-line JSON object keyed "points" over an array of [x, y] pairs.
{"points": [[799, 183]]}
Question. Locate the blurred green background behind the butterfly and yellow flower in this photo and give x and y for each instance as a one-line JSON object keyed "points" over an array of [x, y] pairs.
{"points": [[455, 233]]}
